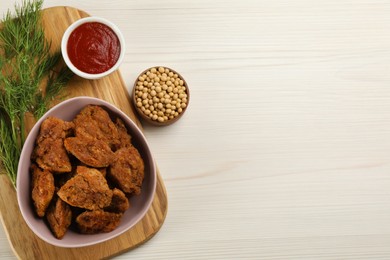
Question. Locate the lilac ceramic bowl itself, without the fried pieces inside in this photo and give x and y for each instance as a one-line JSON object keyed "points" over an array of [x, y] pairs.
{"points": [[140, 204]]}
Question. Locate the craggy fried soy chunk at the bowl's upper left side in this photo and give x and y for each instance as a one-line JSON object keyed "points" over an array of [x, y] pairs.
{"points": [[50, 153]]}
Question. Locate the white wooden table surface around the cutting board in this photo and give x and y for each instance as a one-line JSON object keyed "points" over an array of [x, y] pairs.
{"points": [[284, 151]]}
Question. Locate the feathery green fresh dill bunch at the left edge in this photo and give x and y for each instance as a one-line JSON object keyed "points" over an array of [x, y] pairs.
{"points": [[30, 78]]}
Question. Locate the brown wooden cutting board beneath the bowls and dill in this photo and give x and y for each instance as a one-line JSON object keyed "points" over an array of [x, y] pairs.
{"points": [[23, 241]]}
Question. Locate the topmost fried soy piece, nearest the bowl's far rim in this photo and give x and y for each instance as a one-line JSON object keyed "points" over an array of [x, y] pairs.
{"points": [[93, 122]]}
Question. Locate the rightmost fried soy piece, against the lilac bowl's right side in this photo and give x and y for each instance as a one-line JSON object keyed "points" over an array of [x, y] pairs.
{"points": [[127, 170]]}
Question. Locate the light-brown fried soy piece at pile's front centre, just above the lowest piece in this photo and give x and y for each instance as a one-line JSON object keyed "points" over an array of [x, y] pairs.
{"points": [[88, 189]]}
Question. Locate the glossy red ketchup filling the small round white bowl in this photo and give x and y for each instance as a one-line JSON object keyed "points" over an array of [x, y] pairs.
{"points": [[93, 47]]}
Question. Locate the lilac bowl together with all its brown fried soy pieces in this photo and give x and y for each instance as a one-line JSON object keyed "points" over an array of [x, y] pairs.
{"points": [[86, 174]]}
